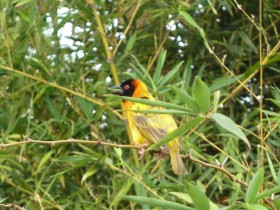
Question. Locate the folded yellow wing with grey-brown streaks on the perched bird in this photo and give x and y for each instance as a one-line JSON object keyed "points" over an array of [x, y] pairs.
{"points": [[152, 126]]}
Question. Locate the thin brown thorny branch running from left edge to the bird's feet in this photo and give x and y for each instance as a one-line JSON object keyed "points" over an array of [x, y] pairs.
{"points": [[67, 141]]}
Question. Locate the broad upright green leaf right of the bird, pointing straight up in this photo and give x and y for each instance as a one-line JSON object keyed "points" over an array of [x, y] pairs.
{"points": [[201, 94]]}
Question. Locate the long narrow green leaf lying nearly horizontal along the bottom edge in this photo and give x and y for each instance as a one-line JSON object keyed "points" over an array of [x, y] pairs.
{"points": [[156, 202]]}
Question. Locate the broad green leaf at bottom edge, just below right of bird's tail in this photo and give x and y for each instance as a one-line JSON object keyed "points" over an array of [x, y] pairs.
{"points": [[200, 200]]}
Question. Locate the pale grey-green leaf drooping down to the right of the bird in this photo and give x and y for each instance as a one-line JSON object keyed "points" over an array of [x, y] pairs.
{"points": [[230, 126]]}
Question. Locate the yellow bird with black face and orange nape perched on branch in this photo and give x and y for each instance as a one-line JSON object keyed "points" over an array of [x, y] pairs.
{"points": [[148, 128]]}
